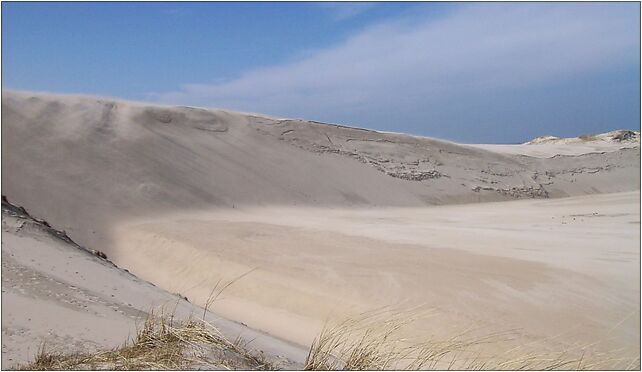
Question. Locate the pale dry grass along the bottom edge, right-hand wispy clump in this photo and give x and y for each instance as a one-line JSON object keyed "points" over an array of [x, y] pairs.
{"points": [[369, 343]]}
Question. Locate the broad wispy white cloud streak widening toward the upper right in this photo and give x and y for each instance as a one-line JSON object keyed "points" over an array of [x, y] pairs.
{"points": [[419, 65]]}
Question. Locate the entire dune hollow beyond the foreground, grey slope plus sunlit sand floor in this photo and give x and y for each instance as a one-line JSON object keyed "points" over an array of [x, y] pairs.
{"points": [[335, 220]]}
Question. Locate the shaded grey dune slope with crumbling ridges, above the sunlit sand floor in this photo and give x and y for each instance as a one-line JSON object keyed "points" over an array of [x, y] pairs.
{"points": [[84, 163]]}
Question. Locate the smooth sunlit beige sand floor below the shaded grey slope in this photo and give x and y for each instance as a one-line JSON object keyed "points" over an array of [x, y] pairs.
{"points": [[567, 268]]}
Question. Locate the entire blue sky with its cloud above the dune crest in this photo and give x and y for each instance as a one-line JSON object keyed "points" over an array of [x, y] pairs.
{"points": [[470, 72]]}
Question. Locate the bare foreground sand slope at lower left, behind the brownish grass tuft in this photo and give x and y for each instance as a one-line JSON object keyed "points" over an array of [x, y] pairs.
{"points": [[70, 300]]}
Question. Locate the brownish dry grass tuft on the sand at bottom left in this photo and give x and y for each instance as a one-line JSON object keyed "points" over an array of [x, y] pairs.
{"points": [[161, 344]]}
